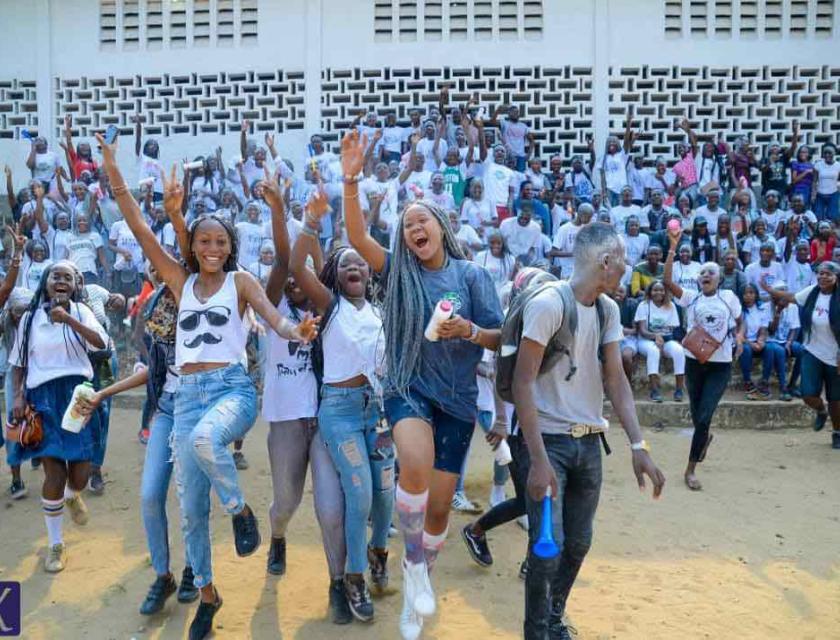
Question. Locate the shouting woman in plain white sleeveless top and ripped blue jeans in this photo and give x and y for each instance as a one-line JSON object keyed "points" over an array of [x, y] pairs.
{"points": [[349, 415]]}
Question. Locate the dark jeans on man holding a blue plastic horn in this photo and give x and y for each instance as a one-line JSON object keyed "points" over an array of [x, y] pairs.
{"points": [[577, 463]]}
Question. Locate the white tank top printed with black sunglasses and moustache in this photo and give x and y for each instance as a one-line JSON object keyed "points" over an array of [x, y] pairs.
{"points": [[210, 331]]}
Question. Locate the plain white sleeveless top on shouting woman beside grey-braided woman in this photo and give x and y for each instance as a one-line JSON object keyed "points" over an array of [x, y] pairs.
{"points": [[353, 343]]}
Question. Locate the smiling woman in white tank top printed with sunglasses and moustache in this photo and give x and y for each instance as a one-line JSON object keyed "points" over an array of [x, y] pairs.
{"points": [[215, 403]]}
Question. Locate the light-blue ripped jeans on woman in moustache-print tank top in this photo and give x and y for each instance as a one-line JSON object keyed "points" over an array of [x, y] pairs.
{"points": [[212, 409]]}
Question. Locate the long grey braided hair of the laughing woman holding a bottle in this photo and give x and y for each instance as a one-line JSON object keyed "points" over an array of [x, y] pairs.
{"points": [[406, 301]]}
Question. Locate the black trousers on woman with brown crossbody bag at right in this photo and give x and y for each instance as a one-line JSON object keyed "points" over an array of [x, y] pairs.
{"points": [[706, 384]]}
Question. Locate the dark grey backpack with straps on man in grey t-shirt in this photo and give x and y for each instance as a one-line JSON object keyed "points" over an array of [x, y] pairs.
{"points": [[562, 343]]}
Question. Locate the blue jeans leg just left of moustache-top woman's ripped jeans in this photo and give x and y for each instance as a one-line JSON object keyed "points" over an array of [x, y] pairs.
{"points": [[157, 470]]}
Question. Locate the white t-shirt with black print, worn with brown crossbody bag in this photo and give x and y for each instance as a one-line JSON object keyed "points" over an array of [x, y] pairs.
{"points": [[717, 314]]}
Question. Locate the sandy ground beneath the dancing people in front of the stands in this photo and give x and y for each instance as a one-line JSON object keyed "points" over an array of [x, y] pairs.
{"points": [[752, 556]]}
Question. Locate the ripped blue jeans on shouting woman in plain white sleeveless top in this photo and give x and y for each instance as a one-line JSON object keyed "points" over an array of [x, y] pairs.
{"points": [[363, 453]]}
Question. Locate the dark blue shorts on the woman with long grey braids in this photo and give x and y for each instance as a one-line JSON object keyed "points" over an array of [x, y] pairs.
{"points": [[452, 436]]}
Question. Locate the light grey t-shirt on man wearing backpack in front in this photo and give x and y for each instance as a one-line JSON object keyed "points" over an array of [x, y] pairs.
{"points": [[561, 404]]}
